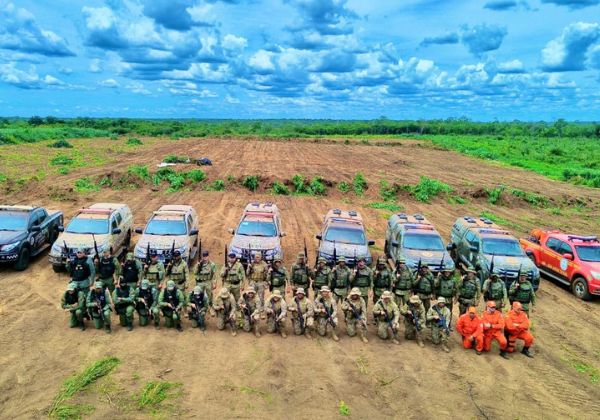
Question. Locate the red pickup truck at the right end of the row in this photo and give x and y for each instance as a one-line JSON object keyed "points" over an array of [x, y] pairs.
{"points": [[573, 260]]}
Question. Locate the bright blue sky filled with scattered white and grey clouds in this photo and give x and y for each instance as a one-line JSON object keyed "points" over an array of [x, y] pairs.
{"points": [[325, 59]]}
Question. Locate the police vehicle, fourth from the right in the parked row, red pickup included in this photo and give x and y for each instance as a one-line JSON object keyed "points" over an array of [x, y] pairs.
{"points": [[343, 234]]}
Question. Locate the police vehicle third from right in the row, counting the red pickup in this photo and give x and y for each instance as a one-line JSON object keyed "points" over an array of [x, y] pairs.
{"points": [[415, 239]]}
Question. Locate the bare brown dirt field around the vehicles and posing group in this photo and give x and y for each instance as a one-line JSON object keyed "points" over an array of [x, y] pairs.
{"points": [[245, 377]]}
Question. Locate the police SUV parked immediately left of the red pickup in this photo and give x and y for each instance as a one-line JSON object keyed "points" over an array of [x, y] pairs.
{"points": [[485, 246]]}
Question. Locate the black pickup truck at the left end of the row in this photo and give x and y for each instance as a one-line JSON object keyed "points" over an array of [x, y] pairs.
{"points": [[26, 231]]}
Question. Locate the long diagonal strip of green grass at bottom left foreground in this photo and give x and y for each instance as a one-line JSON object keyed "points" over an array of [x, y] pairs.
{"points": [[77, 383]]}
